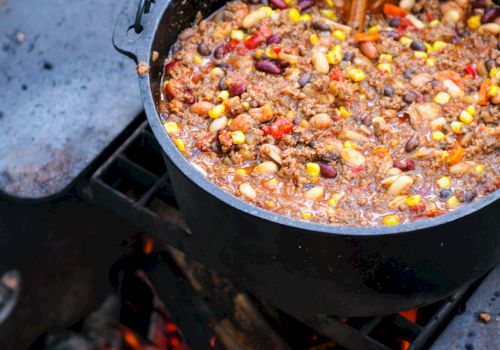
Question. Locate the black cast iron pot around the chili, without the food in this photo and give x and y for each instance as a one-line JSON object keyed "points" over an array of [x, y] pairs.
{"points": [[300, 266]]}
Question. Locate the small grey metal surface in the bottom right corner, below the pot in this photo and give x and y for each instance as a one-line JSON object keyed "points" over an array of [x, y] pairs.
{"points": [[467, 331]]}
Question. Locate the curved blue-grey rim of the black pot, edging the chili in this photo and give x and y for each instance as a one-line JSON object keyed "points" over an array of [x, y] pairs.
{"points": [[195, 176]]}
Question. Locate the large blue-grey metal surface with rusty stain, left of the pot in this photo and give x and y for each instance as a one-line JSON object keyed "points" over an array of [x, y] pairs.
{"points": [[65, 93]]}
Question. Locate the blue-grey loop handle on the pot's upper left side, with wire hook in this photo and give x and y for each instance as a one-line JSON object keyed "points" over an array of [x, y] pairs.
{"points": [[134, 25]]}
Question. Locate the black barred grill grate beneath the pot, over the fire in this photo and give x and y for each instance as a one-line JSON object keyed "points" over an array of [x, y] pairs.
{"points": [[134, 183]]}
